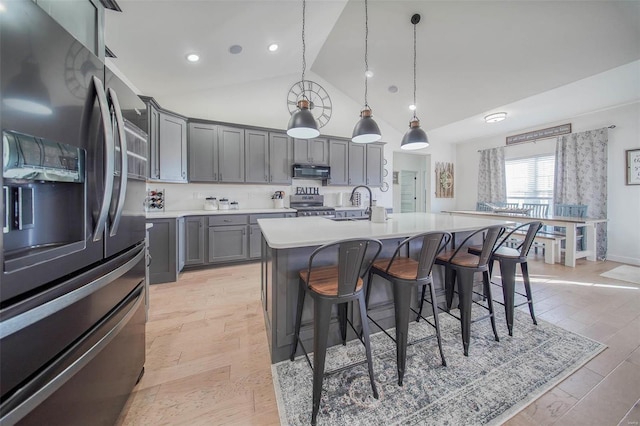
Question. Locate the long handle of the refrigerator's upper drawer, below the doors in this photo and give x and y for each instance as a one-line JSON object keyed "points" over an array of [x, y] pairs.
{"points": [[19, 322]]}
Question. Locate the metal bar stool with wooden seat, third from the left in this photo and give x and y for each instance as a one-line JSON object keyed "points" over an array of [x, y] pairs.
{"points": [[460, 267]]}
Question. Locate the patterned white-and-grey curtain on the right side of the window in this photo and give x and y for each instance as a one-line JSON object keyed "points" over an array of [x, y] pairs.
{"points": [[581, 177]]}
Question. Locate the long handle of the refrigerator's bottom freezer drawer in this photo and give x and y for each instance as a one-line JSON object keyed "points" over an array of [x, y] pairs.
{"points": [[57, 382]]}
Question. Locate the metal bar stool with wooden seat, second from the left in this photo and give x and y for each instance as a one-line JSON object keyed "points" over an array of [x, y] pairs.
{"points": [[405, 274]]}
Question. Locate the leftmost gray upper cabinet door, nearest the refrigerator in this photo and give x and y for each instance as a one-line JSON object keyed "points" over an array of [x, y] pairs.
{"points": [[172, 144]]}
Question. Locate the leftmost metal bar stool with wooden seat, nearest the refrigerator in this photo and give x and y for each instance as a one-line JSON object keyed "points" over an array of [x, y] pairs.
{"points": [[335, 284]]}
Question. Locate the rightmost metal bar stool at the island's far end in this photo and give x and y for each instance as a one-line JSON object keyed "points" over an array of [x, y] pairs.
{"points": [[508, 258]]}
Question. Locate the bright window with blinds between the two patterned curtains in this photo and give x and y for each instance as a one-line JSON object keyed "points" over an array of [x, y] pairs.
{"points": [[530, 179]]}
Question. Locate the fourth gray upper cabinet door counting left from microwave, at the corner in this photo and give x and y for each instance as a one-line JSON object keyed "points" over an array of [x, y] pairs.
{"points": [[203, 147]]}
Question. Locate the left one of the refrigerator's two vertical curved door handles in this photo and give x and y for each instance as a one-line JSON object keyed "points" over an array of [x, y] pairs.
{"points": [[109, 159]]}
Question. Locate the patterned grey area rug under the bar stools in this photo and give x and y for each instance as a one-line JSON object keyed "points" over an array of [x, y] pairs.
{"points": [[492, 384]]}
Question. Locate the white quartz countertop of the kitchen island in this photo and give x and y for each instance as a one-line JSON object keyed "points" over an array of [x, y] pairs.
{"points": [[313, 231]]}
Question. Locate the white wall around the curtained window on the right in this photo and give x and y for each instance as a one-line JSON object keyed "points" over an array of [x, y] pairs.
{"points": [[623, 209]]}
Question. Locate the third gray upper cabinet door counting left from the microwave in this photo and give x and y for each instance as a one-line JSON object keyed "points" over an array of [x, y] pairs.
{"points": [[230, 154]]}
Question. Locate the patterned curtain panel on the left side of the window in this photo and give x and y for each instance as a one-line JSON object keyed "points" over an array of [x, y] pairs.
{"points": [[492, 183]]}
